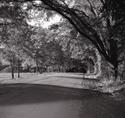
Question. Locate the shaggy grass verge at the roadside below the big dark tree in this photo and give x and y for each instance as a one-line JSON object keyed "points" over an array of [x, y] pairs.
{"points": [[105, 86]]}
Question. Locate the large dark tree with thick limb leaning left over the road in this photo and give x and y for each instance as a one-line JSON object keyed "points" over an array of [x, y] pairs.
{"points": [[98, 21]]}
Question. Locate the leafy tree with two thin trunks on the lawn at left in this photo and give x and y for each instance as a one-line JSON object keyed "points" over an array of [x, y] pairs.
{"points": [[11, 39]]}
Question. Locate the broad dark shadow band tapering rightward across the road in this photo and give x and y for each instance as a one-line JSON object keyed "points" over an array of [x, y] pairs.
{"points": [[34, 93]]}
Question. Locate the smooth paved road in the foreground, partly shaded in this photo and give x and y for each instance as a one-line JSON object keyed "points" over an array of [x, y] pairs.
{"points": [[42, 101]]}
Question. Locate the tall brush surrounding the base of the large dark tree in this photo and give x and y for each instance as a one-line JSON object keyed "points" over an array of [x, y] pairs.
{"points": [[112, 72]]}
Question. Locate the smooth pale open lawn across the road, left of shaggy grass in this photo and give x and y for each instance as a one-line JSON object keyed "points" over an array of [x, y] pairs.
{"points": [[59, 79]]}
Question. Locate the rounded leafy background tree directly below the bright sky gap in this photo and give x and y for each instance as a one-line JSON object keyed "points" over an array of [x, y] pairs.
{"points": [[47, 52]]}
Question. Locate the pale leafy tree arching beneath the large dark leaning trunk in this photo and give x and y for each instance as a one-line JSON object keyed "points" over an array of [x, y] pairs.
{"points": [[77, 47]]}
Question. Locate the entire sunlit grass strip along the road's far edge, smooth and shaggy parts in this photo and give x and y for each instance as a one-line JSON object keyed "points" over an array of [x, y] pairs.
{"points": [[105, 86]]}
